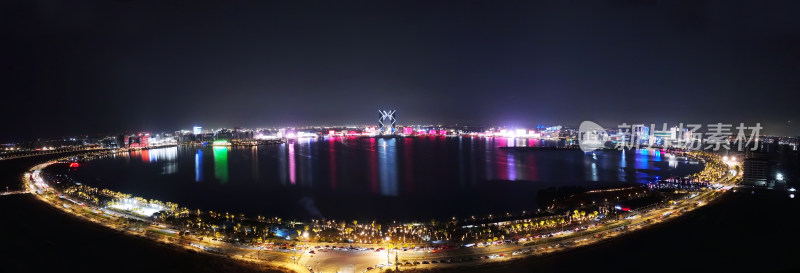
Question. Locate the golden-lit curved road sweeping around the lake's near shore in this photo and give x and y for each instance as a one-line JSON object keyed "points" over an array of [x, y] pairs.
{"points": [[361, 258]]}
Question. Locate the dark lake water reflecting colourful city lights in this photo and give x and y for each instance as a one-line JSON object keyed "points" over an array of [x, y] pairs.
{"points": [[371, 178]]}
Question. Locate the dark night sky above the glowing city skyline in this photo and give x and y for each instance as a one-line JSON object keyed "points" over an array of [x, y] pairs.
{"points": [[76, 67]]}
